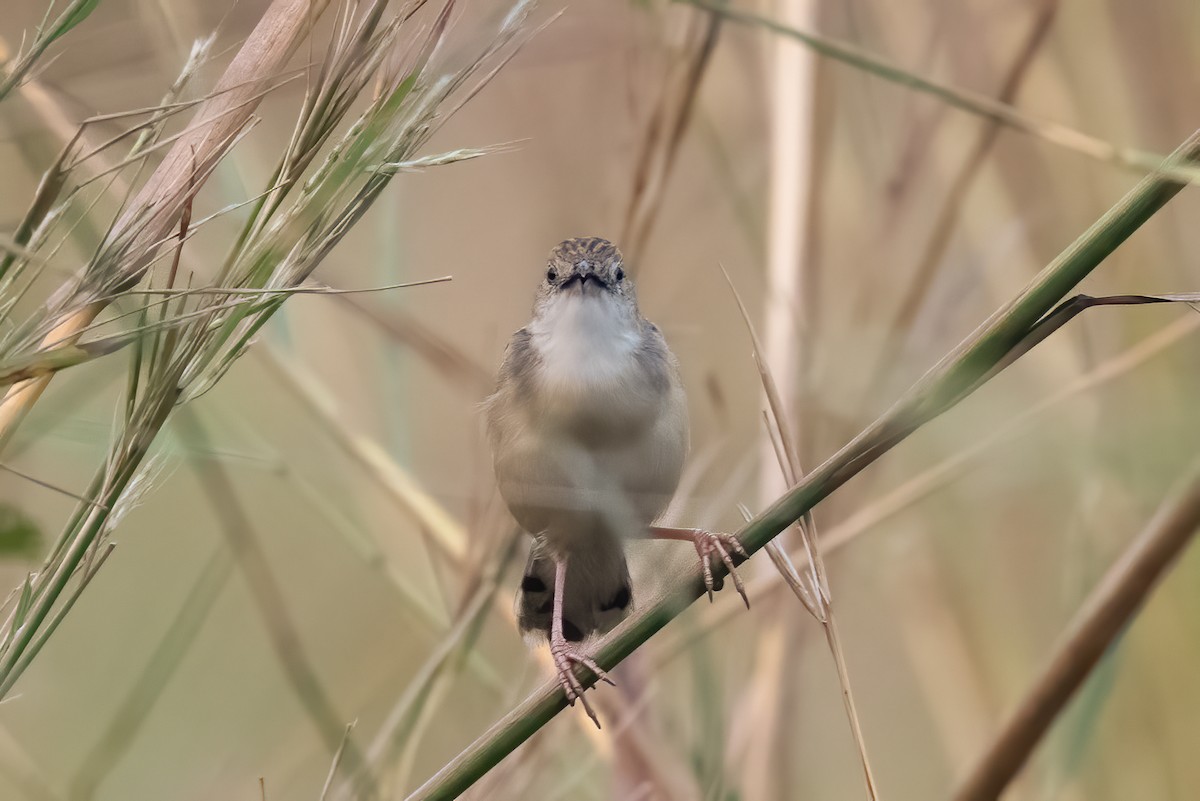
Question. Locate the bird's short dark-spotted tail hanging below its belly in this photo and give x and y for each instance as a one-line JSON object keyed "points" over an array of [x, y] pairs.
{"points": [[597, 593]]}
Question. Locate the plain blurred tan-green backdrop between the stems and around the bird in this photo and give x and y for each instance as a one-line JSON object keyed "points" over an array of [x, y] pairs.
{"points": [[947, 607]]}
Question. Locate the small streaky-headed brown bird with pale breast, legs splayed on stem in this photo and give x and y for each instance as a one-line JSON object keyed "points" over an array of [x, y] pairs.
{"points": [[589, 427]]}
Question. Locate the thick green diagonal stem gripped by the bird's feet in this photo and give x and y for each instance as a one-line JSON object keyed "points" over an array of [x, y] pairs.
{"points": [[952, 380]]}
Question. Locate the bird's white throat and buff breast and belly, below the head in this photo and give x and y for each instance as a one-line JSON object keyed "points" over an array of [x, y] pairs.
{"points": [[601, 441]]}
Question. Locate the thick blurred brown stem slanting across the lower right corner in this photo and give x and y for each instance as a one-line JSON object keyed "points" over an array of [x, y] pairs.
{"points": [[1096, 627]]}
